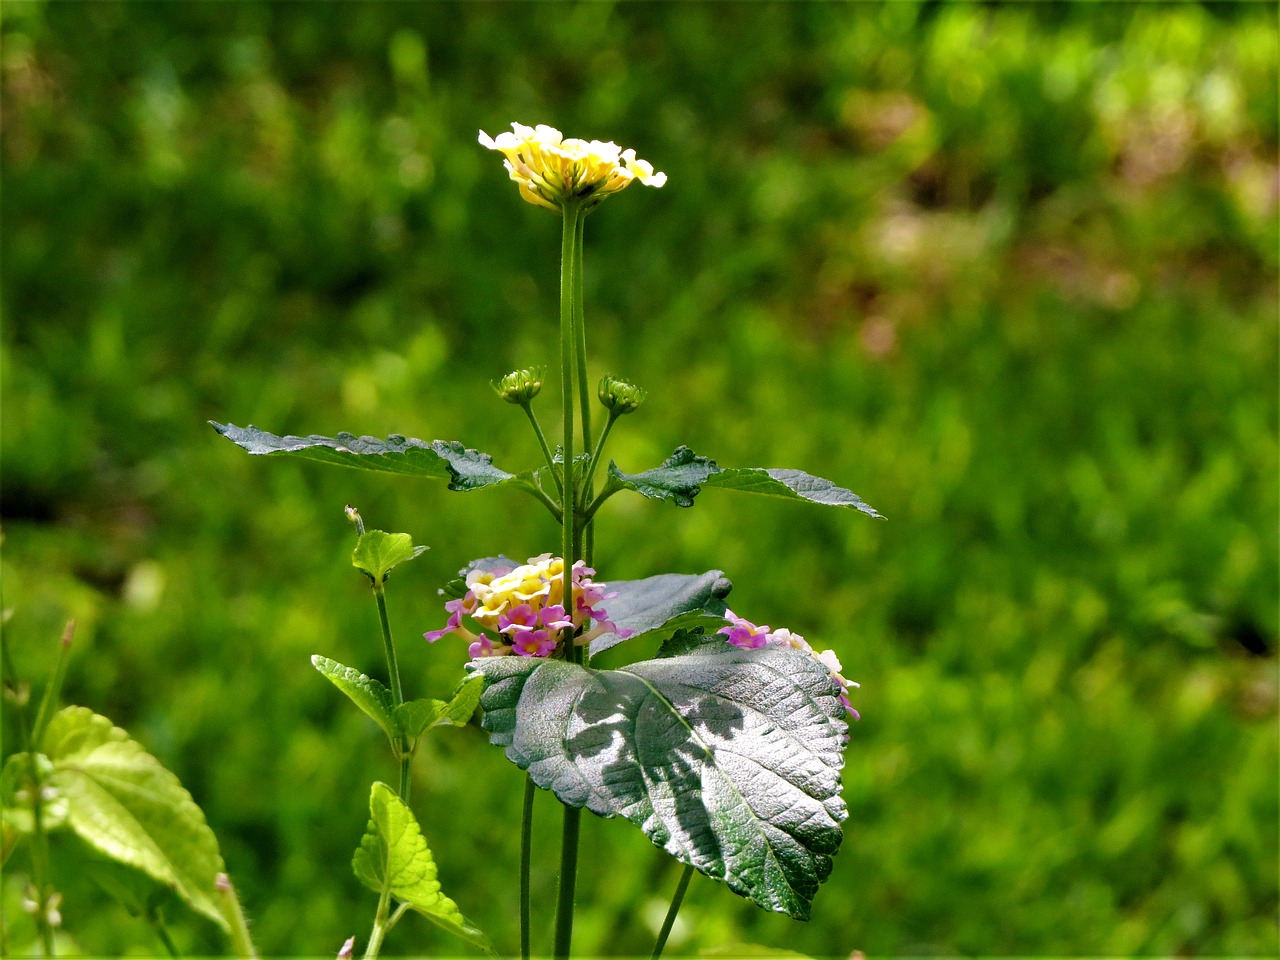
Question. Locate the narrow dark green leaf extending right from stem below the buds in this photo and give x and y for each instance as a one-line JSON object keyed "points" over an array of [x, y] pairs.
{"points": [[683, 476]]}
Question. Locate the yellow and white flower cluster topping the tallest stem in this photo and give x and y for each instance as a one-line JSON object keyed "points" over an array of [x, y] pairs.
{"points": [[552, 171]]}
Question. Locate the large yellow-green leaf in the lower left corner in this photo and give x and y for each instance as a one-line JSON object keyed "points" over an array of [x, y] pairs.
{"points": [[124, 803]]}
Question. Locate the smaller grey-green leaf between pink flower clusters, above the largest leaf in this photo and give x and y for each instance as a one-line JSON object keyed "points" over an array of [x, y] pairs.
{"points": [[660, 606]]}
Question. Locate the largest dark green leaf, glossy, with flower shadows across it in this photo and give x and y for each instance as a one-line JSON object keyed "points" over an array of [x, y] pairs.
{"points": [[729, 760]]}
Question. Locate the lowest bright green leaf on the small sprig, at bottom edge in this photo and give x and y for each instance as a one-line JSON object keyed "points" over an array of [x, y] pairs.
{"points": [[395, 851]]}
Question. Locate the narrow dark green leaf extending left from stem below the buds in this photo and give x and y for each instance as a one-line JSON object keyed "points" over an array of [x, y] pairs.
{"points": [[441, 460]]}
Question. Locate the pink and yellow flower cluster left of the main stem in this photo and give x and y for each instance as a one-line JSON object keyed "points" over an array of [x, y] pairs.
{"points": [[522, 610]]}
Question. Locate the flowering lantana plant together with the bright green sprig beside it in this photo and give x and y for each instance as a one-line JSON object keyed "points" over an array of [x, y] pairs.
{"points": [[725, 749]]}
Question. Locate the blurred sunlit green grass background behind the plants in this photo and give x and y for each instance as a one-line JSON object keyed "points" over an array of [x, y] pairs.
{"points": [[1007, 272]]}
